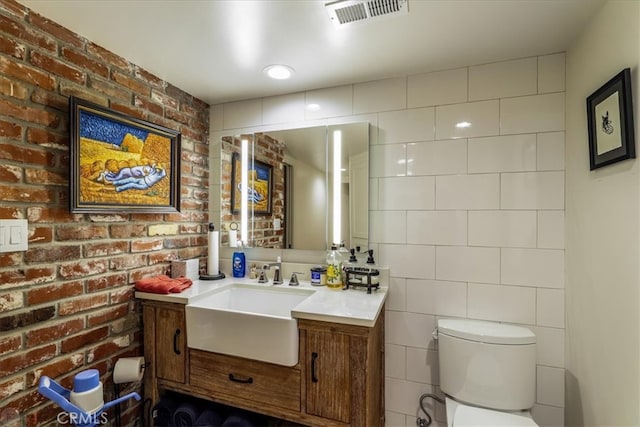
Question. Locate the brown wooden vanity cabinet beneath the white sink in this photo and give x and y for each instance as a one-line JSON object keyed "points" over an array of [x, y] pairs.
{"points": [[338, 381]]}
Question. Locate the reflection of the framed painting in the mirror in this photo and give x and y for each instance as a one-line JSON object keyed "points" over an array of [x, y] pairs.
{"points": [[260, 186]]}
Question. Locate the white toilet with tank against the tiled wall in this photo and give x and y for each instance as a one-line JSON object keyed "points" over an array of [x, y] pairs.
{"points": [[487, 372]]}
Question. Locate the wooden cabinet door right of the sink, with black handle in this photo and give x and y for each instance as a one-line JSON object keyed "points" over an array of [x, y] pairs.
{"points": [[328, 377]]}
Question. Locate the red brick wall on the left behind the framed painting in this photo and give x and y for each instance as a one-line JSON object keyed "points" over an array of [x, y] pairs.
{"points": [[66, 304]]}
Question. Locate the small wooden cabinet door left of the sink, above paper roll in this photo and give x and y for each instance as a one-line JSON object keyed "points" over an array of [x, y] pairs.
{"points": [[171, 345]]}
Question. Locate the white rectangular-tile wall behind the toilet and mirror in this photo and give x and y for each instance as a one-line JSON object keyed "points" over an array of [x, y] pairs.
{"points": [[467, 207]]}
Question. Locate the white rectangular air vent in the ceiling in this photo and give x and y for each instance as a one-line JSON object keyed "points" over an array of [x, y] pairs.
{"points": [[344, 12]]}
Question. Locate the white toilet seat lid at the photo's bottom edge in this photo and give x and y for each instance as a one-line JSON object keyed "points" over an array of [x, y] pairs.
{"points": [[461, 415]]}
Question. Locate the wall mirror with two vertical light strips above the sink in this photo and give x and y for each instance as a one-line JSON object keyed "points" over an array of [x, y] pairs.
{"points": [[286, 179]]}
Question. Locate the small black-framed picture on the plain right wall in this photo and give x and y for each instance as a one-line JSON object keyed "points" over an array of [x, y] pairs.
{"points": [[610, 122]]}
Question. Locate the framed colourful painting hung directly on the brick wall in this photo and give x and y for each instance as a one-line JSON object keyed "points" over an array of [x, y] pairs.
{"points": [[121, 164]]}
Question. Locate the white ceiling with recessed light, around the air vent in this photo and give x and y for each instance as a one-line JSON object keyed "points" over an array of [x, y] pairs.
{"points": [[216, 49]]}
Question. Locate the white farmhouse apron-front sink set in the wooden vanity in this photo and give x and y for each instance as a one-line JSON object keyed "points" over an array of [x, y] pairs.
{"points": [[248, 321]]}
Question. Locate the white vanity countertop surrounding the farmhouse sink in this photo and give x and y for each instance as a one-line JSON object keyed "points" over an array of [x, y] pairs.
{"points": [[352, 306]]}
